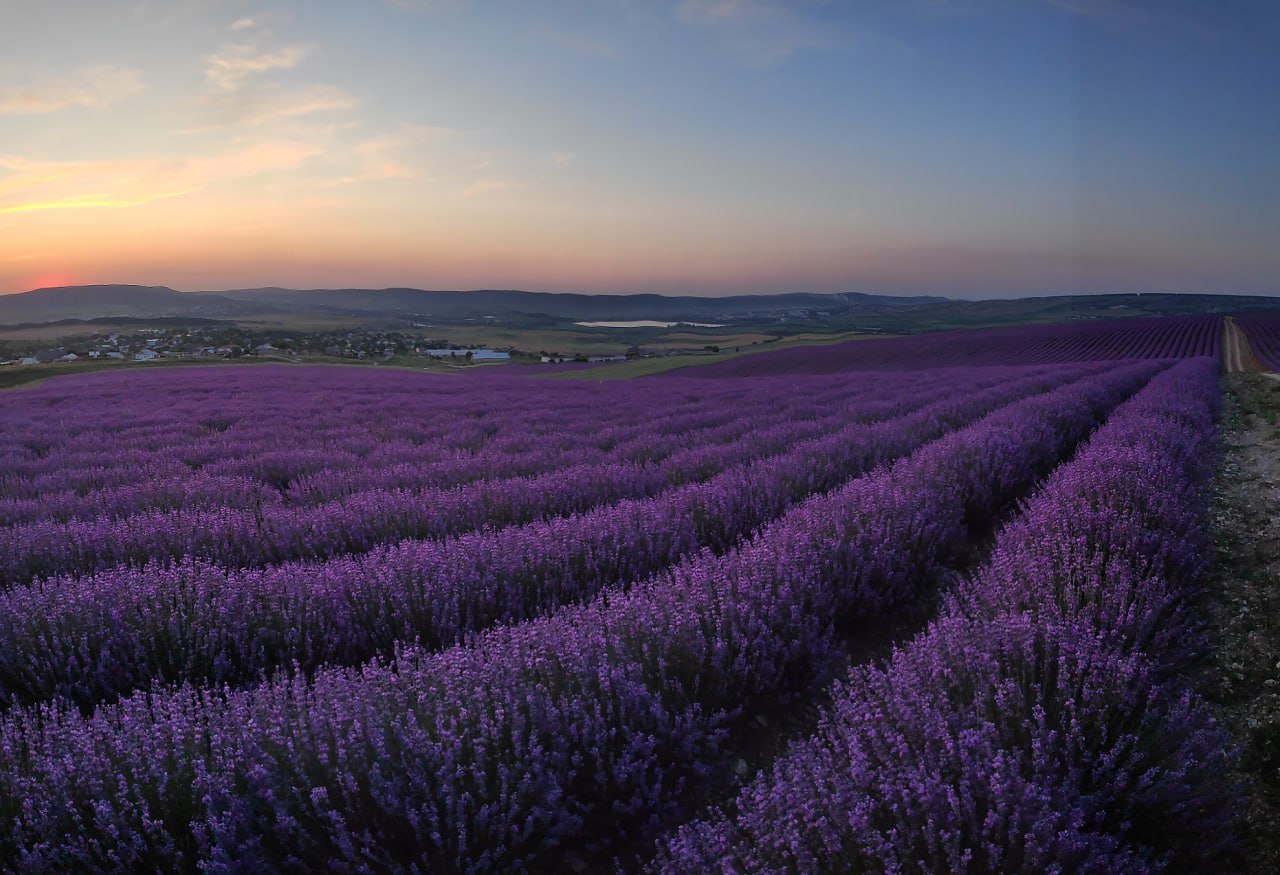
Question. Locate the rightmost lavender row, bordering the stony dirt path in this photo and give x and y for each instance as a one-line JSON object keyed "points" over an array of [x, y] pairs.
{"points": [[1043, 725]]}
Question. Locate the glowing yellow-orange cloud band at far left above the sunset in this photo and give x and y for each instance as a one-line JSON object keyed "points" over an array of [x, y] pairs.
{"points": [[30, 185]]}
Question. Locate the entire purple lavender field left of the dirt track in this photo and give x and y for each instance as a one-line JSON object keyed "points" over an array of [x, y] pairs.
{"points": [[922, 606]]}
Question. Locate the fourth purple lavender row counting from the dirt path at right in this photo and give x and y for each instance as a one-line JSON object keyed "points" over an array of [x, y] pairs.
{"points": [[355, 524]]}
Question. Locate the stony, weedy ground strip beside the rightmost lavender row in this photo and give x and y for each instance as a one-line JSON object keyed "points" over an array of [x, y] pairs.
{"points": [[1245, 604]]}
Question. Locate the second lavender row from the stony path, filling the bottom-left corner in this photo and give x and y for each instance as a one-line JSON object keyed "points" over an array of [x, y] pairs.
{"points": [[565, 731]]}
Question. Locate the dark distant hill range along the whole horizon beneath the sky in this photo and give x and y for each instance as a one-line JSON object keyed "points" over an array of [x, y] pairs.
{"points": [[802, 311]]}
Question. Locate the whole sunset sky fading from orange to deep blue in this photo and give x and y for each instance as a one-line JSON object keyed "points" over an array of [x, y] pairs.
{"points": [[975, 149]]}
